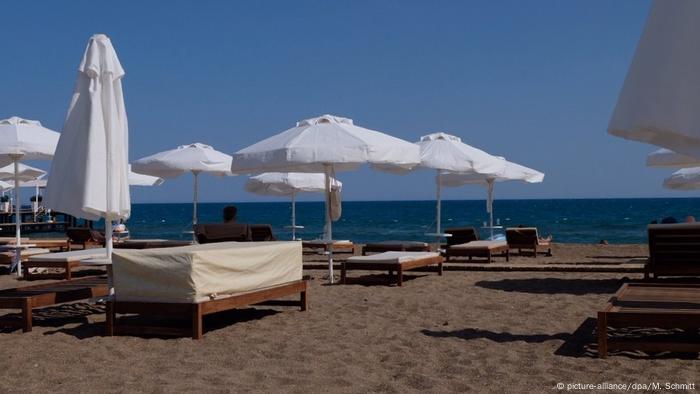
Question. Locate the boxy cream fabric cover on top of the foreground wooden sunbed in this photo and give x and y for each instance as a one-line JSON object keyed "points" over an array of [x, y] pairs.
{"points": [[199, 273]]}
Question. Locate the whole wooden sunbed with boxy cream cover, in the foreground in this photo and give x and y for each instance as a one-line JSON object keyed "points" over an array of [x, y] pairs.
{"points": [[197, 280]]}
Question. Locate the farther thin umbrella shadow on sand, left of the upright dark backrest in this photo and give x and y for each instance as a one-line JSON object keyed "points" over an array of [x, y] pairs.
{"points": [[554, 285]]}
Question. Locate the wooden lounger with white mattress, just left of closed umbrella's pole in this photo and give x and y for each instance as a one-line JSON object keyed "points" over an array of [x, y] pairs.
{"points": [[63, 260]]}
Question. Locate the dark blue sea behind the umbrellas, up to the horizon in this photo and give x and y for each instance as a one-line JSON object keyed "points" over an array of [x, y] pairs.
{"points": [[578, 221]]}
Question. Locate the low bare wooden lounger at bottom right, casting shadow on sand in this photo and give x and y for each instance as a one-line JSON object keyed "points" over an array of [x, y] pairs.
{"points": [[651, 305]]}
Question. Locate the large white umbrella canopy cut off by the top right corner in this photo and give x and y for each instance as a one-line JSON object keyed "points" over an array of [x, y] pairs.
{"points": [[660, 98]]}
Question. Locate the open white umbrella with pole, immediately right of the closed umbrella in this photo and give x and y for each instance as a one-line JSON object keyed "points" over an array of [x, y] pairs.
{"points": [[194, 158]]}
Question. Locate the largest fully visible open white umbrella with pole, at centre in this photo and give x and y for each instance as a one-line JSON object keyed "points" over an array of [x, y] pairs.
{"points": [[325, 144]]}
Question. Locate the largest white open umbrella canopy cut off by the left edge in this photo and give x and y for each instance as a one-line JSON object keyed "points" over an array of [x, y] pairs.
{"points": [[27, 139]]}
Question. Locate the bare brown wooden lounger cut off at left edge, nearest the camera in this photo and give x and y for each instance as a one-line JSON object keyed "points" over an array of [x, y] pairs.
{"points": [[30, 297]]}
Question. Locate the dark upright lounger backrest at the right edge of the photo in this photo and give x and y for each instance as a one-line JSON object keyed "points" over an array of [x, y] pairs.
{"points": [[674, 250]]}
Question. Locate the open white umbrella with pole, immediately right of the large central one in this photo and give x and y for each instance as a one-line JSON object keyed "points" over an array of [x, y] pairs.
{"points": [[445, 152]]}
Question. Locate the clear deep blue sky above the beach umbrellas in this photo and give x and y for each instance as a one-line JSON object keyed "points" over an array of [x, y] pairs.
{"points": [[534, 81]]}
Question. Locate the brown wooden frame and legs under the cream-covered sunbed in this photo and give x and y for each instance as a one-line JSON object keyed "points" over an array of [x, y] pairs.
{"points": [[194, 311]]}
